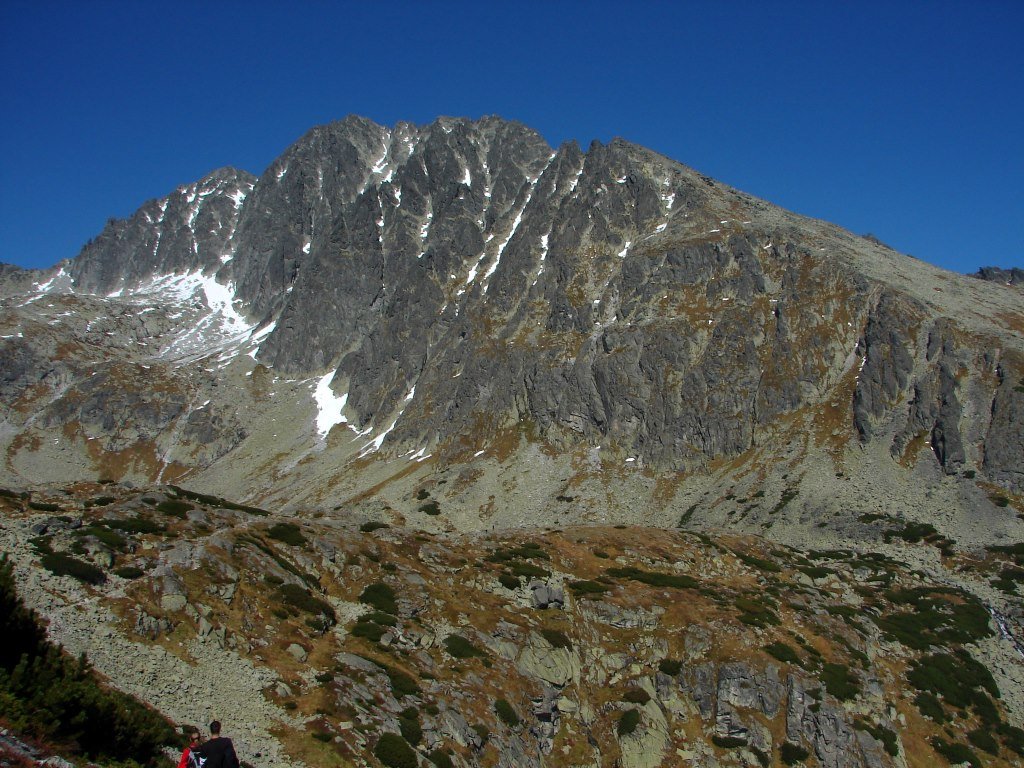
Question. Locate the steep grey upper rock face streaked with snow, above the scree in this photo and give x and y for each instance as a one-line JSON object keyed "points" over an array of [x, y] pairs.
{"points": [[461, 279]]}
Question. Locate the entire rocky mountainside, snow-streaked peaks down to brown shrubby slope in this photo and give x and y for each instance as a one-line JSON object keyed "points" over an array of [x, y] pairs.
{"points": [[438, 446]]}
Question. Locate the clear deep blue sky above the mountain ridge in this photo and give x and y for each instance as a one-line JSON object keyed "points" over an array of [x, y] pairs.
{"points": [[902, 119]]}
